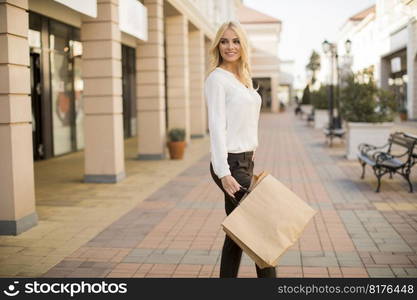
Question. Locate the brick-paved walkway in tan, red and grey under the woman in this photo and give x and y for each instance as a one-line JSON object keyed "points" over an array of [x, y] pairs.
{"points": [[174, 230]]}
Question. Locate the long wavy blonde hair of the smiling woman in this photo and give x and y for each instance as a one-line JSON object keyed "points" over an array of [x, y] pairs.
{"points": [[243, 69]]}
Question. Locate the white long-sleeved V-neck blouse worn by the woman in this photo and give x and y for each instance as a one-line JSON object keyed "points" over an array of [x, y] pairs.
{"points": [[233, 115]]}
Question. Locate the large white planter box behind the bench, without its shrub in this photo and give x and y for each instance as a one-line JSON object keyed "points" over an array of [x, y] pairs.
{"points": [[371, 133]]}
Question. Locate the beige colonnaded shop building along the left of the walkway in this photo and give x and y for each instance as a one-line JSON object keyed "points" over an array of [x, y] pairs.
{"points": [[88, 74]]}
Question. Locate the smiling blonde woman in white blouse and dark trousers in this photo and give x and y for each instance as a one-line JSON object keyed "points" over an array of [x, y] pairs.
{"points": [[233, 112]]}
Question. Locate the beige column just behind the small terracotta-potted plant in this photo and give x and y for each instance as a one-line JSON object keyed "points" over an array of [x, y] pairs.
{"points": [[178, 73]]}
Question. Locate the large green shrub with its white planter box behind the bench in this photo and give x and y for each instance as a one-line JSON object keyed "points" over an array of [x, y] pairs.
{"points": [[369, 112]]}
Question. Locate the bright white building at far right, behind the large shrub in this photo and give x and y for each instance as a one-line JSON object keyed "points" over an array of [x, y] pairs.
{"points": [[384, 41]]}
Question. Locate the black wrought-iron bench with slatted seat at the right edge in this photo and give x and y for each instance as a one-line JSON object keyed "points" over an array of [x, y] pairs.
{"points": [[386, 159]]}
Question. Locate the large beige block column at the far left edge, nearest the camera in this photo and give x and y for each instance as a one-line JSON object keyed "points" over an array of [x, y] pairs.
{"points": [[17, 191]]}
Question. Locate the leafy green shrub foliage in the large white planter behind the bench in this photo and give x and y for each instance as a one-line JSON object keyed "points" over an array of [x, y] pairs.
{"points": [[365, 102]]}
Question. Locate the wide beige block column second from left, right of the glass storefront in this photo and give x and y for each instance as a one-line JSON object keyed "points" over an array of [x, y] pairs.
{"points": [[102, 75]]}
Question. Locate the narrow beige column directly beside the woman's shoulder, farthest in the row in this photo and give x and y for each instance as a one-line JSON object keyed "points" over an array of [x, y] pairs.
{"points": [[197, 61]]}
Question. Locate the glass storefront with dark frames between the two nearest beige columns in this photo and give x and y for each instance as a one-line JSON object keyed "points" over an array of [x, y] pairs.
{"points": [[56, 87]]}
